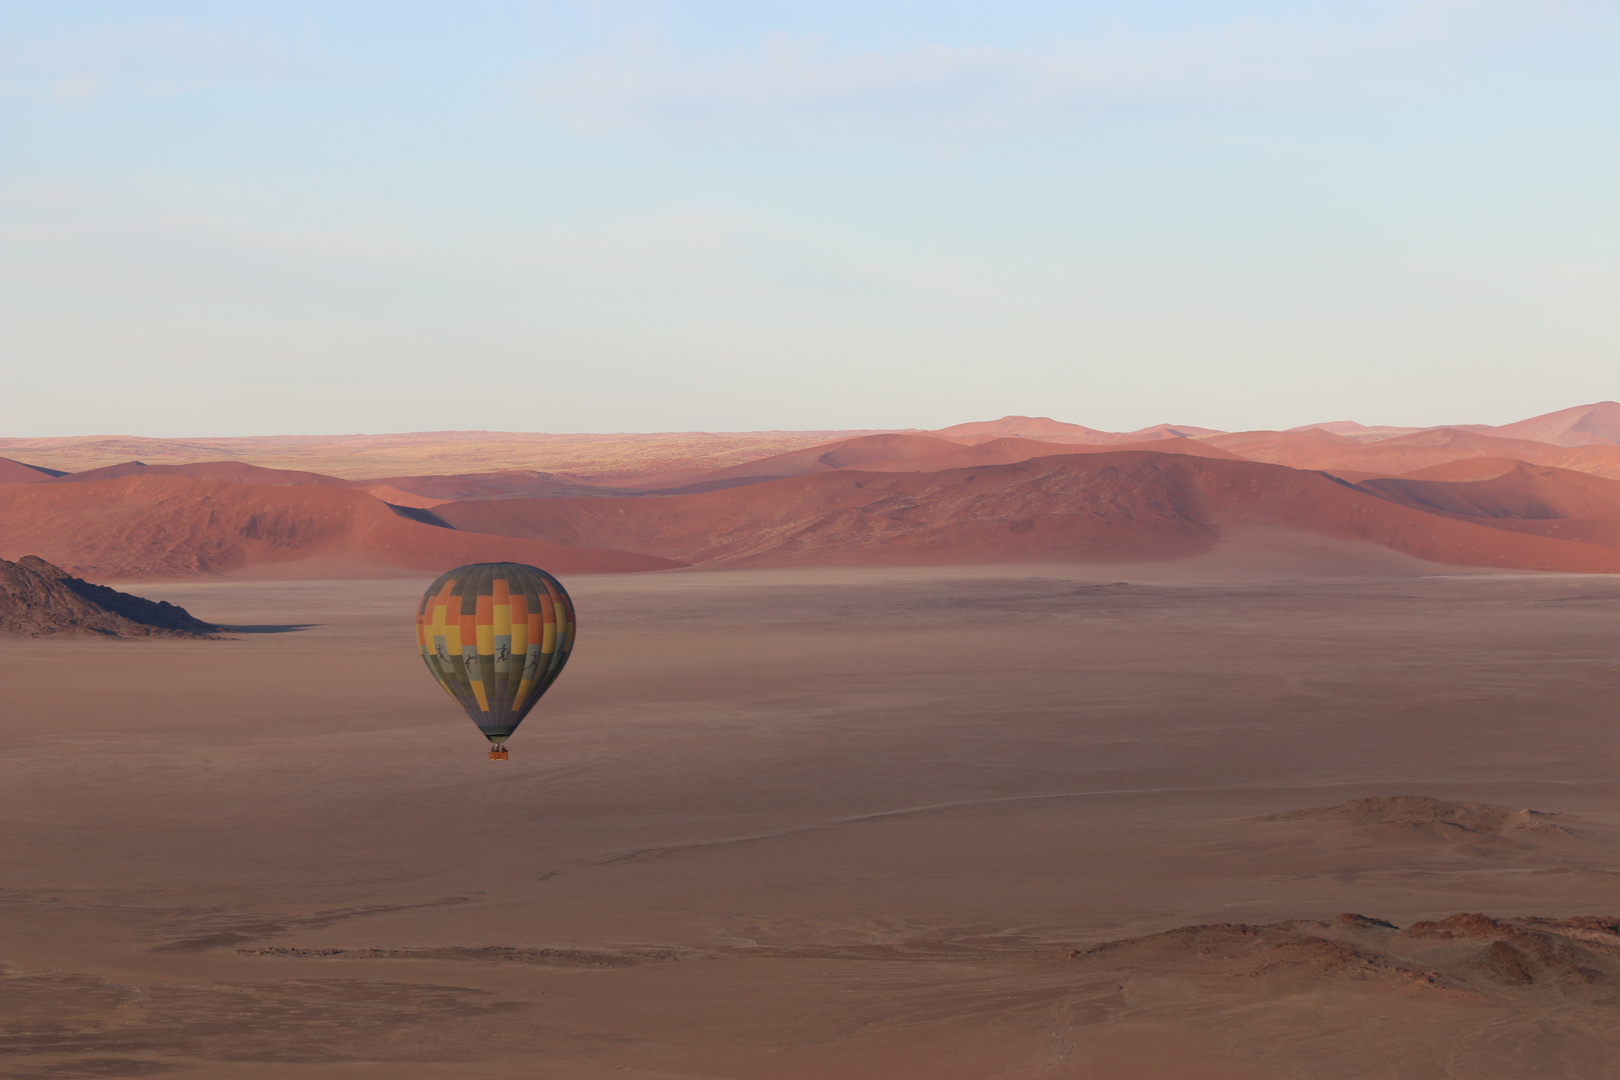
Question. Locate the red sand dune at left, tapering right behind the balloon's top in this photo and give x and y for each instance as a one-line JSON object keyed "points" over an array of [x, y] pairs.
{"points": [[174, 527]]}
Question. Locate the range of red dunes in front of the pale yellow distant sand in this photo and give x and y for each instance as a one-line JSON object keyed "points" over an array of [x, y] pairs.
{"points": [[851, 504]]}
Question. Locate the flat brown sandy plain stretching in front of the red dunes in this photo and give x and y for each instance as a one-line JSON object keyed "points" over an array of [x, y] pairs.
{"points": [[811, 825]]}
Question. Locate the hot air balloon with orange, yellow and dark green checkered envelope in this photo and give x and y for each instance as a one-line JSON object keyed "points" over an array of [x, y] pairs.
{"points": [[497, 636]]}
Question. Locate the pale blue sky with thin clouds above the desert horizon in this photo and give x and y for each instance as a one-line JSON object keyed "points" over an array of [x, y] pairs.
{"points": [[228, 219]]}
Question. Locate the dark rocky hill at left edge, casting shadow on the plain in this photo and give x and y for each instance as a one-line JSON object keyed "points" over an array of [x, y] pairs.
{"points": [[40, 600]]}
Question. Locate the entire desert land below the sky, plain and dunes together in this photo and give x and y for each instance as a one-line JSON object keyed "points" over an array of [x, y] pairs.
{"points": [[1015, 750]]}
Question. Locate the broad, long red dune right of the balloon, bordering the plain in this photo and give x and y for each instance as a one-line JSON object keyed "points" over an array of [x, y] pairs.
{"points": [[1091, 508]]}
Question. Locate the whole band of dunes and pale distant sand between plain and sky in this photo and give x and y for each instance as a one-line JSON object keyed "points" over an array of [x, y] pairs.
{"points": [[1538, 495]]}
